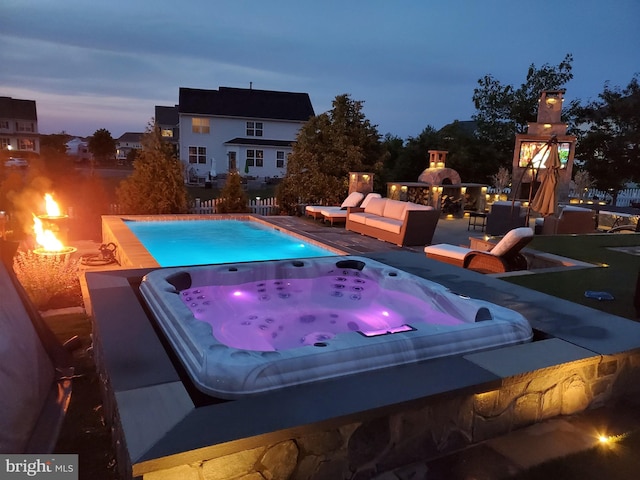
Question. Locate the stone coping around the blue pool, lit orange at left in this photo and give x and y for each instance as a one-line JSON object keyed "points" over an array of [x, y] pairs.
{"points": [[131, 253]]}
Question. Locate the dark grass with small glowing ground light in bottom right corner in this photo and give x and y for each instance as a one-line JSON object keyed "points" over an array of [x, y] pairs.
{"points": [[617, 460]]}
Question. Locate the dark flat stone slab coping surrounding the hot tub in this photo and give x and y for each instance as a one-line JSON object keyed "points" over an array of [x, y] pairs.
{"points": [[160, 421]]}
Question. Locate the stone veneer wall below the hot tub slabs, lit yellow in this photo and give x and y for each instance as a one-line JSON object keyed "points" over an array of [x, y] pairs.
{"points": [[442, 425]]}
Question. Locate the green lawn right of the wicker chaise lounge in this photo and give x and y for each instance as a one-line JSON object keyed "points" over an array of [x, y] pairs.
{"points": [[617, 274]]}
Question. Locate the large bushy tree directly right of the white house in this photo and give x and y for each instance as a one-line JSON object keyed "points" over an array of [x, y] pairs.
{"points": [[327, 148]]}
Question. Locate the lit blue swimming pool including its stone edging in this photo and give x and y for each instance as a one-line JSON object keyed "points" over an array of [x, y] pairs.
{"points": [[175, 240]]}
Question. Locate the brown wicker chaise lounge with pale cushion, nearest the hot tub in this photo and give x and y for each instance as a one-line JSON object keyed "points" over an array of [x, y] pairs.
{"points": [[505, 256]]}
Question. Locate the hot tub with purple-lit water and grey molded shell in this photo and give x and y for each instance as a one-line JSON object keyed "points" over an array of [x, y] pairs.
{"points": [[247, 328]]}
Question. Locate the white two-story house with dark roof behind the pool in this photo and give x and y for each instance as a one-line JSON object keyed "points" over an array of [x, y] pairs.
{"points": [[238, 129]]}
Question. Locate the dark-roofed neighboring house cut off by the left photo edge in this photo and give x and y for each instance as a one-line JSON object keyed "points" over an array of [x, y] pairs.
{"points": [[19, 125]]}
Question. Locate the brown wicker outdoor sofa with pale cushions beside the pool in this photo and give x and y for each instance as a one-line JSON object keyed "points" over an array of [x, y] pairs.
{"points": [[402, 223]]}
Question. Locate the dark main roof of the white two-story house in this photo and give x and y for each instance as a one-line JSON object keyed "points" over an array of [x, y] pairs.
{"points": [[246, 103]]}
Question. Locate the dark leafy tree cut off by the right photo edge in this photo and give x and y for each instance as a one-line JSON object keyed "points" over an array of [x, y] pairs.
{"points": [[609, 142]]}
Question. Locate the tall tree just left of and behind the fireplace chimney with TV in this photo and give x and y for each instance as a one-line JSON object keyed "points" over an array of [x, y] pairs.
{"points": [[503, 110]]}
